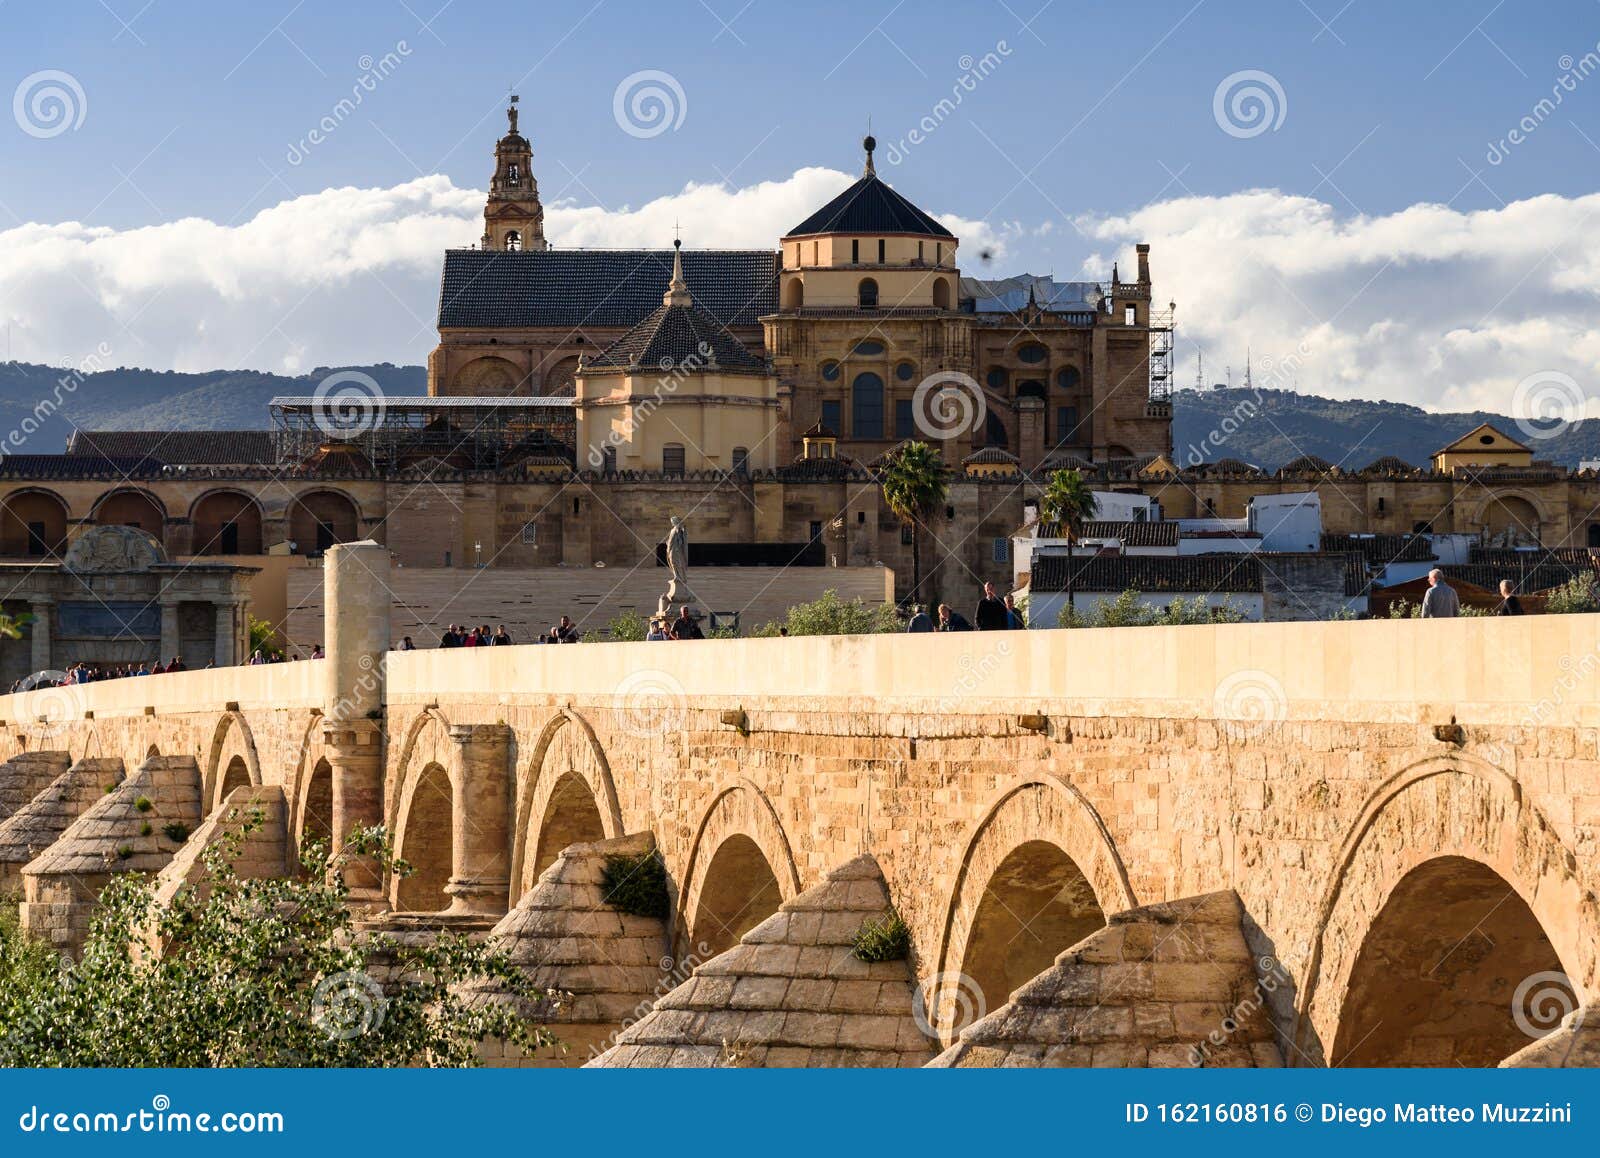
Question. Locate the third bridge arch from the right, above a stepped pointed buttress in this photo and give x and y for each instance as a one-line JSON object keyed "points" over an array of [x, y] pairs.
{"points": [[740, 869]]}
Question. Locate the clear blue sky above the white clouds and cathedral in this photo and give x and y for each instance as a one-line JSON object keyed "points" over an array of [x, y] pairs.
{"points": [[1092, 111]]}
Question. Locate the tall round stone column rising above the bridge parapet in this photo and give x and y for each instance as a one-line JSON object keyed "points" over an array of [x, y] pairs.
{"points": [[356, 578]]}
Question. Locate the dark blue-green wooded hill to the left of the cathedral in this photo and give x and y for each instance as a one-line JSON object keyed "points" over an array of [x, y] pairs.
{"points": [[129, 399]]}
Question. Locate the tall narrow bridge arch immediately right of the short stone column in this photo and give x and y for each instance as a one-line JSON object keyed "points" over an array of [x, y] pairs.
{"points": [[566, 796]]}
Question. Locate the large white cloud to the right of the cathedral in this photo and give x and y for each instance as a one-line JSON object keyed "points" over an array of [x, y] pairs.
{"points": [[1433, 306]]}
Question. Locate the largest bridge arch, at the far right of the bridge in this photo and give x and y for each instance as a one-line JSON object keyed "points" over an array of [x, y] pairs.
{"points": [[1455, 890]]}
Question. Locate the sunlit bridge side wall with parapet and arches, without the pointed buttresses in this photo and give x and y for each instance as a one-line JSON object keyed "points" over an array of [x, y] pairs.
{"points": [[1377, 794]]}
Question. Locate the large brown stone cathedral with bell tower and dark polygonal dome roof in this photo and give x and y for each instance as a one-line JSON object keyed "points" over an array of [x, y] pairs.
{"points": [[854, 309]]}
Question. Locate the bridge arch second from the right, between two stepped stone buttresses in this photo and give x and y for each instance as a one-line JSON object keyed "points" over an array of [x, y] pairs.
{"points": [[1039, 874]]}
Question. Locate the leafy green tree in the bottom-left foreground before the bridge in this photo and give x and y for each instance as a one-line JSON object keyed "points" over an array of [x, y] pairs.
{"points": [[252, 973]]}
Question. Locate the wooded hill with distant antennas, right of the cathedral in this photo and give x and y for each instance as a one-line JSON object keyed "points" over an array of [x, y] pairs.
{"points": [[1270, 428]]}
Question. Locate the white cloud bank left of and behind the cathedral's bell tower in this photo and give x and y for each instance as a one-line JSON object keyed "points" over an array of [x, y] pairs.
{"points": [[335, 278]]}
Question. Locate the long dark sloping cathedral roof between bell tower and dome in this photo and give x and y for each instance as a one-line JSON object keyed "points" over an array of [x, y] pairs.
{"points": [[577, 289]]}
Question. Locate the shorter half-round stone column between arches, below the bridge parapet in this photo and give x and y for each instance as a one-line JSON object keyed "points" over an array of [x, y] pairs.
{"points": [[481, 821]]}
